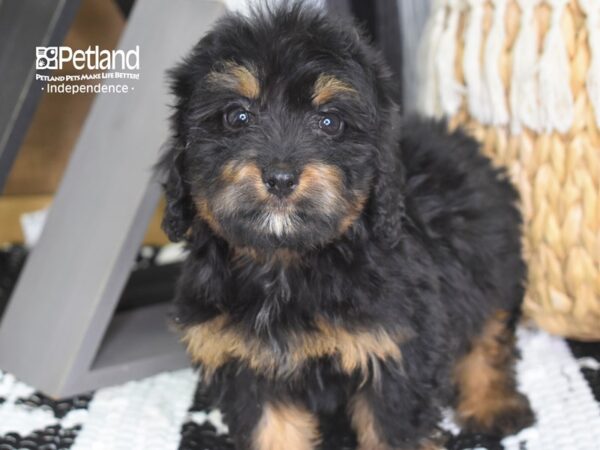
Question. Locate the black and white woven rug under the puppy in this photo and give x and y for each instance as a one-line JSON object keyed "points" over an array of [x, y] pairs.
{"points": [[168, 412]]}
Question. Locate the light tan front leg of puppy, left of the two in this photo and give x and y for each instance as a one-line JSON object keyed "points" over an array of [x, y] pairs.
{"points": [[286, 427]]}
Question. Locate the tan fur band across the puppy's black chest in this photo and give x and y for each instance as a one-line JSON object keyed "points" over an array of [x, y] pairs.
{"points": [[219, 341]]}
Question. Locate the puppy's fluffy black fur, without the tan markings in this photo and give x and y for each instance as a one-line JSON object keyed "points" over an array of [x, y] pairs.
{"points": [[434, 251]]}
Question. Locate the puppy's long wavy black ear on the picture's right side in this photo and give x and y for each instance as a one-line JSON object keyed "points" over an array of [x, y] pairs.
{"points": [[387, 200]]}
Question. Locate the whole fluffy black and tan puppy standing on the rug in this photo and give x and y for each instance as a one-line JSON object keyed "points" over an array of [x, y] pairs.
{"points": [[340, 256]]}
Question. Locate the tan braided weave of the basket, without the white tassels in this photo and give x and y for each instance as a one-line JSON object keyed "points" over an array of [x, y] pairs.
{"points": [[556, 172]]}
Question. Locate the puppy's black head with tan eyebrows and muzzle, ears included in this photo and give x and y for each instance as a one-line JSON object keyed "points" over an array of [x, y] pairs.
{"points": [[283, 134]]}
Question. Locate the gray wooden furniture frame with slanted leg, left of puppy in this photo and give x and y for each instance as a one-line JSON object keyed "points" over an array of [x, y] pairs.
{"points": [[59, 332]]}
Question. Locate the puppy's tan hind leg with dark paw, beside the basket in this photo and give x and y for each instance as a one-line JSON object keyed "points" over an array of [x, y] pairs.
{"points": [[486, 383]]}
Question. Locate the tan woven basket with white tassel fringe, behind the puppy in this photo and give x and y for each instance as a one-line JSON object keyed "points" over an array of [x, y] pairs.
{"points": [[523, 76]]}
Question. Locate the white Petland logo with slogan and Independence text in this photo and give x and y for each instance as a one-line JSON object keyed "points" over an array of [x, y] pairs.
{"points": [[99, 66]]}
